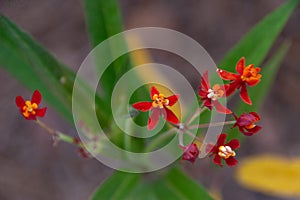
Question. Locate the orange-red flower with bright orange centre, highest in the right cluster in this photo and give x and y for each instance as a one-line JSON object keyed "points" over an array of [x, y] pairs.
{"points": [[247, 75]]}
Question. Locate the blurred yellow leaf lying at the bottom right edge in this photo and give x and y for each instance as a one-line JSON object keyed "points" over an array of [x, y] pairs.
{"points": [[271, 174]]}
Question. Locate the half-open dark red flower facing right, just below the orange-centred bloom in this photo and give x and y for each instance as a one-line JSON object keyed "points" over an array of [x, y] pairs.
{"points": [[246, 123]]}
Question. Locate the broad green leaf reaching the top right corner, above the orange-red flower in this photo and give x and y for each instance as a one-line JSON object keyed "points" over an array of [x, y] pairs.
{"points": [[257, 43]]}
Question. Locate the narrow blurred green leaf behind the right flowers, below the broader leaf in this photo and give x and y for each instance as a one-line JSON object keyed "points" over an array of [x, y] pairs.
{"points": [[260, 92]]}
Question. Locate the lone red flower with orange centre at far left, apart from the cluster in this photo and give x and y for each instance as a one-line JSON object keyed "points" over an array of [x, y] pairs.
{"points": [[30, 109]]}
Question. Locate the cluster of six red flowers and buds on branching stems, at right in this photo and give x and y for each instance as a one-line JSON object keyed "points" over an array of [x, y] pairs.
{"points": [[246, 76]]}
